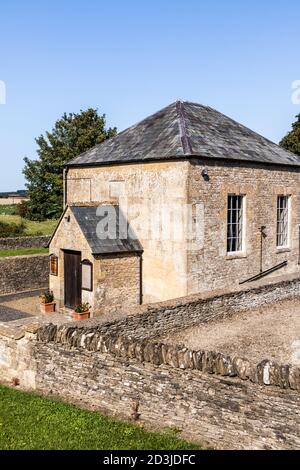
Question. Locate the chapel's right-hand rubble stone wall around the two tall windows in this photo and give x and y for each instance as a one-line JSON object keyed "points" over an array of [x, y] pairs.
{"points": [[210, 268]]}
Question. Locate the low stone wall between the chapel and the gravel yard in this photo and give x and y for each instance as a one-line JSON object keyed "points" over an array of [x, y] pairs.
{"points": [[158, 320]]}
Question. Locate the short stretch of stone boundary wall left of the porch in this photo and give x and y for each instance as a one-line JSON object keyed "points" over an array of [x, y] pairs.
{"points": [[21, 273]]}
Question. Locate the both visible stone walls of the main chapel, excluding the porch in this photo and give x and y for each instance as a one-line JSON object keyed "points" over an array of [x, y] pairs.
{"points": [[174, 268]]}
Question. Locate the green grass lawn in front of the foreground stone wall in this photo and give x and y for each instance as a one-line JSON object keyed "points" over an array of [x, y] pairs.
{"points": [[28, 421]]}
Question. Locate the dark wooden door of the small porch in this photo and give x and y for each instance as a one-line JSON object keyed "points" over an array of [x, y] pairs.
{"points": [[72, 272]]}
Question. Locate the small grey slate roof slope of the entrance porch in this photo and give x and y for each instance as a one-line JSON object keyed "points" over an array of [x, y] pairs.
{"points": [[122, 238]]}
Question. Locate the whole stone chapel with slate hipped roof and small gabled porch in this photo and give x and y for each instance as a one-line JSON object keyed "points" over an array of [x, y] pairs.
{"points": [[240, 190]]}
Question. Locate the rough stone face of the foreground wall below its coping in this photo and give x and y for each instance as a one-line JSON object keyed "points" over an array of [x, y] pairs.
{"points": [[224, 413]]}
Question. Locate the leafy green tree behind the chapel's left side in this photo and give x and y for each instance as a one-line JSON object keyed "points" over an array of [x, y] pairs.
{"points": [[72, 135]]}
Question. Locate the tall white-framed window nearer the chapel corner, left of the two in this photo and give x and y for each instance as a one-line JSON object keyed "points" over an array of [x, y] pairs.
{"points": [[235, 223]]}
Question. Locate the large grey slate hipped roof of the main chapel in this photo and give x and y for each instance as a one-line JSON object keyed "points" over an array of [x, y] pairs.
{"points": [[186, 130]]}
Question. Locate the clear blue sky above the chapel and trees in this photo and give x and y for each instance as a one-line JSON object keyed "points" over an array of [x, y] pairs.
{"points": [[131, 58]]}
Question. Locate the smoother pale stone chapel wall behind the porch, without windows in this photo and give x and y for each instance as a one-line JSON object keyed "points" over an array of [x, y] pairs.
{"points": [[145, 192]]}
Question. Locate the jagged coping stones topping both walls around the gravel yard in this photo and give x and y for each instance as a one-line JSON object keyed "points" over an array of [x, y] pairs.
{"points": [[122, 338]]}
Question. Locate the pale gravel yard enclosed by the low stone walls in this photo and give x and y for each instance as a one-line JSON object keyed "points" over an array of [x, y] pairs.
{"points": [[271, 332]]}
